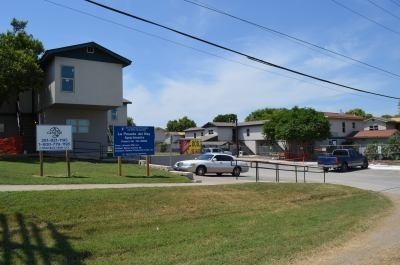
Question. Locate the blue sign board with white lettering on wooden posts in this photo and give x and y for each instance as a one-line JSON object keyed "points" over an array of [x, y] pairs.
{"points": [[133, 140]]}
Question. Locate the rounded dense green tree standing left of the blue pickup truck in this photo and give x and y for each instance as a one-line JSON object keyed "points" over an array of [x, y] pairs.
{"points": [[299, 127]]}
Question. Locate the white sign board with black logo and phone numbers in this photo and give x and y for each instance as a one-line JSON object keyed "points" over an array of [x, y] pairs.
{"points": [[53, 137]]}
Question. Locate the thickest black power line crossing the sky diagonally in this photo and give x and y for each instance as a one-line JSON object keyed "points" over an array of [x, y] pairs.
{"points": [[235, 51]]}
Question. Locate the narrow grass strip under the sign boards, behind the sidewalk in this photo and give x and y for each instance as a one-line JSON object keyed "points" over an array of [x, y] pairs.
{"points": [[25, 170]]}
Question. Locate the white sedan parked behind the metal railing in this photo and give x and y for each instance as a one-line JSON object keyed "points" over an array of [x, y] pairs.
{"points": [[213, 163]]}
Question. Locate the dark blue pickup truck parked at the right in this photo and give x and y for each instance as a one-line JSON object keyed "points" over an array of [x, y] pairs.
{"points": [[343, 159]]}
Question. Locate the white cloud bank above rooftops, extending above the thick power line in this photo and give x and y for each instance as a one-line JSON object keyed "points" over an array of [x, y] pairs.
{"points": [[220, 87]]}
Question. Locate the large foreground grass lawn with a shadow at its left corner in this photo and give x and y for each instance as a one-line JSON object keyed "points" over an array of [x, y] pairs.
{"points": [[258, 223]]}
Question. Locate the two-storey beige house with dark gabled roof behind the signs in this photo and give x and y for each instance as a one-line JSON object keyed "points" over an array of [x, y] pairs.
{"points": [[82, 88]]}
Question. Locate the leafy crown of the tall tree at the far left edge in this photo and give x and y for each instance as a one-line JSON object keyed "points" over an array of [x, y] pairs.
{"points": [[19, 62]]}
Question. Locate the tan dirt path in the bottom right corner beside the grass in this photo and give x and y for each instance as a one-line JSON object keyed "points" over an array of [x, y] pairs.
{"points": [[379, 245]]}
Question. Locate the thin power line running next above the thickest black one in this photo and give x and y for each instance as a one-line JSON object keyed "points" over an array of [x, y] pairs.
{"points": [[298, 40]]}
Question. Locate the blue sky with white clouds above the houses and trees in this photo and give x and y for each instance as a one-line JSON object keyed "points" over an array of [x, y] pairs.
{"points": [[172, 76]]}
